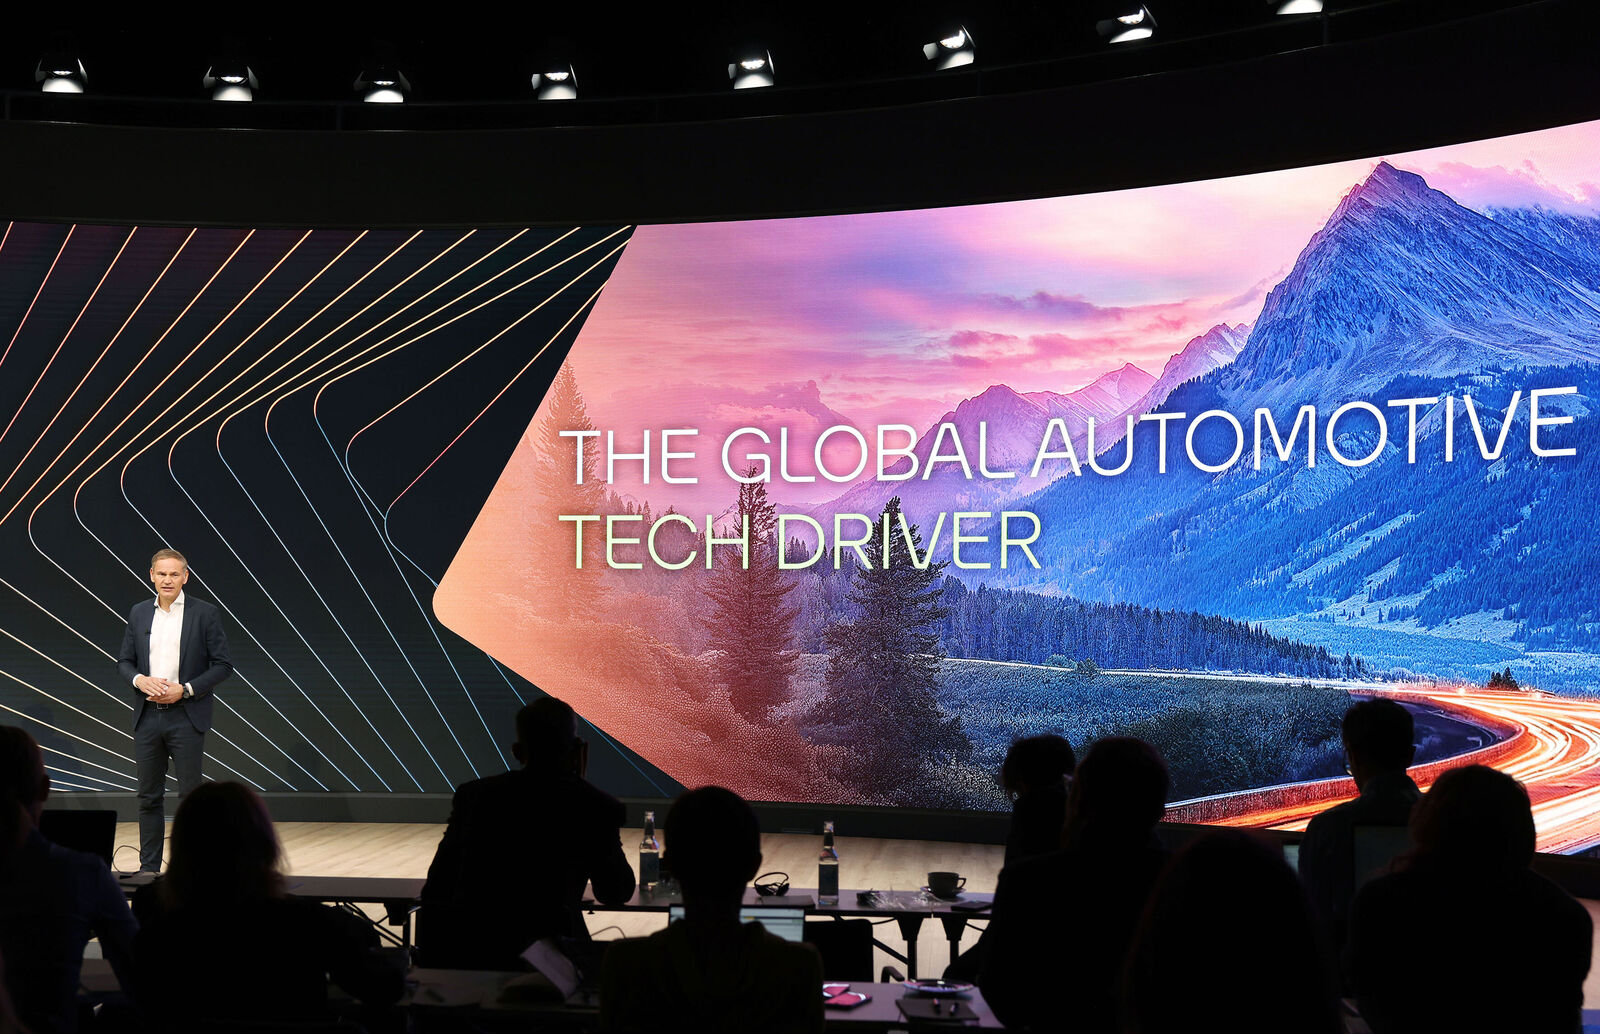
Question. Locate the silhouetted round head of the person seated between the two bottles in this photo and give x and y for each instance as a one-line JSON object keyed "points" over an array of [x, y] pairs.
{"points": [[714, 846]]}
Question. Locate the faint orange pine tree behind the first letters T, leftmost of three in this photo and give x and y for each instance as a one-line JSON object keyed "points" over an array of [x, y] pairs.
{"points": [[566, 590]]}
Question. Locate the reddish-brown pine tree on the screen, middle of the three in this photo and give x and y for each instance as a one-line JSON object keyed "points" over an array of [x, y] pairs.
{"points": [[750, 622]]}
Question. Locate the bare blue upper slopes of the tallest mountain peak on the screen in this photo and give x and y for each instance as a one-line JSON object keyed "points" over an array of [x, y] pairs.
{"points": [[1404, 279]]}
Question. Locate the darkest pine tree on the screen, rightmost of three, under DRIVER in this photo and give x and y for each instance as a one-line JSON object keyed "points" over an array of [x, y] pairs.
{"points": [[884, 667]]}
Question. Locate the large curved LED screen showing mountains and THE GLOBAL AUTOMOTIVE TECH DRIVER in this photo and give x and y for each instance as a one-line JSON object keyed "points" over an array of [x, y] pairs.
{"points": [[833, 510]]}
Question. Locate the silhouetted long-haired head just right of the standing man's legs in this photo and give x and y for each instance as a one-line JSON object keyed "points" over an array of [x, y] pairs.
{"points": [[225, 849]]}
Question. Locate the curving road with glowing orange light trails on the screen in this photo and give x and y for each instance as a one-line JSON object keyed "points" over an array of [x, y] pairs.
{"points": [[1551, 745]]}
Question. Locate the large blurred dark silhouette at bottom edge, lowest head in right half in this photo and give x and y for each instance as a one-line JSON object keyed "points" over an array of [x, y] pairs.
{"points": [[1230, 937]]}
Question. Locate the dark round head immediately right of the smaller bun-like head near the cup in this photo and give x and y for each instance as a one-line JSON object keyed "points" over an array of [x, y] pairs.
{"points": [[1119, 790]]}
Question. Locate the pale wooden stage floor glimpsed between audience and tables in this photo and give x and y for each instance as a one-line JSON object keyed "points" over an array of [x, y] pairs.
{"points": [[406, 851]]}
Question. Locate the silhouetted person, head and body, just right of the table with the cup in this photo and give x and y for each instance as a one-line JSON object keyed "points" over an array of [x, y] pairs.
{"points": [[1063, 921]]}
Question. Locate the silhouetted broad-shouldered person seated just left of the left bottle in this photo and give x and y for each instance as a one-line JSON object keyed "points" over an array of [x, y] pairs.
{"points": [[519, 851]]}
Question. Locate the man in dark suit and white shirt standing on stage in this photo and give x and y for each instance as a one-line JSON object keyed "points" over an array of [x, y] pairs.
{"points": [[175, 654]]}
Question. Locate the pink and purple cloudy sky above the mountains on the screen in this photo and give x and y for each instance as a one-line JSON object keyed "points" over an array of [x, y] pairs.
{"points": [[900, 316]]}
